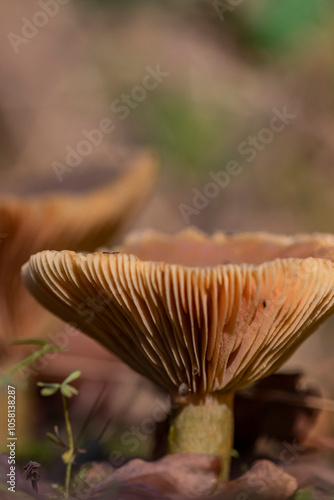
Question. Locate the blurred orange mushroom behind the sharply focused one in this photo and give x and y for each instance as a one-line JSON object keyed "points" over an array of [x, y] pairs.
{"points": [[81, 221]]}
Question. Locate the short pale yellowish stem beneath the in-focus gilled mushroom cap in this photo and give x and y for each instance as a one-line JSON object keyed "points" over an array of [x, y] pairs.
{"points": [[204, 424]]}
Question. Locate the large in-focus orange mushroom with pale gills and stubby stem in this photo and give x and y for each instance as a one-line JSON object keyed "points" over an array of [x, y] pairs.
{"points": [[200, 316]]}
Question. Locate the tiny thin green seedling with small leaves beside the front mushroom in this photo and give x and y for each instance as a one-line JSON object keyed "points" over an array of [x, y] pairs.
{"points": [[66, 391]]}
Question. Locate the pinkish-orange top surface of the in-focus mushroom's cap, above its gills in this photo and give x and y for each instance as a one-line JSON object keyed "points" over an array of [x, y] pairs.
{"points": [[193, 248]]}
